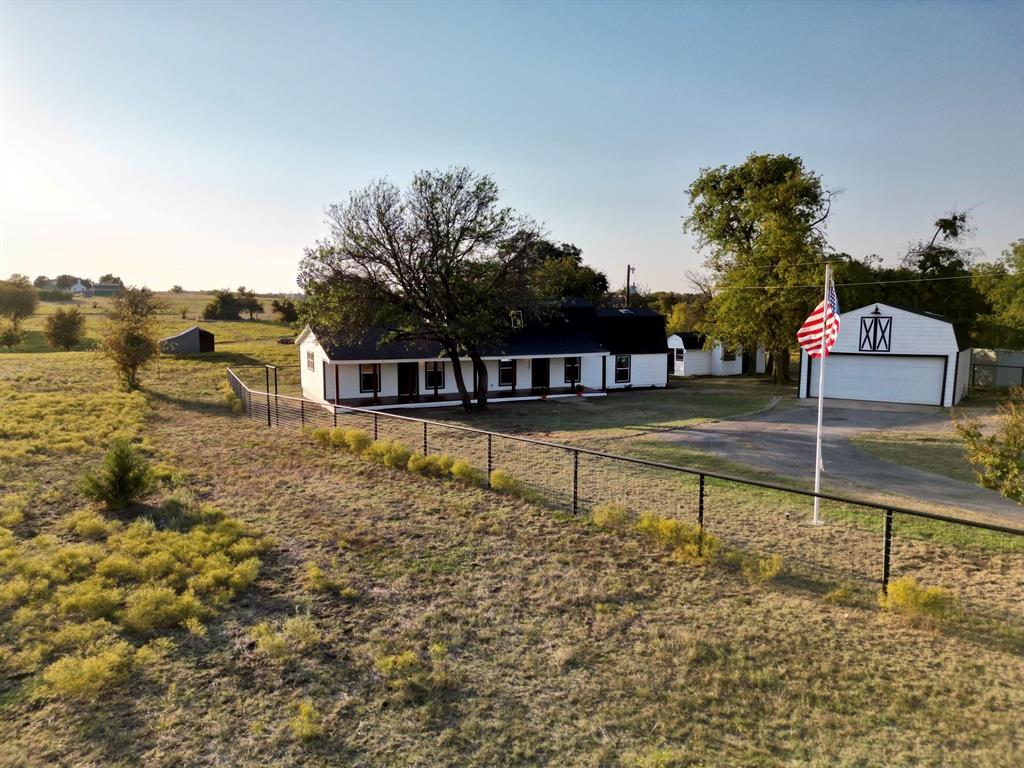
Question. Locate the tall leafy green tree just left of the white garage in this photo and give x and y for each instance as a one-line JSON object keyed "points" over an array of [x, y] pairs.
{"points": [[761, 227]]}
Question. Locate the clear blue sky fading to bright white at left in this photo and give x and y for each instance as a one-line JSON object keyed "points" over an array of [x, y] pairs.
{"points": [[199, 144]]}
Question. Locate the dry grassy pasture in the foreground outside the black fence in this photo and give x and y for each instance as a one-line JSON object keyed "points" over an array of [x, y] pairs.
{"points": [[400, 620]]}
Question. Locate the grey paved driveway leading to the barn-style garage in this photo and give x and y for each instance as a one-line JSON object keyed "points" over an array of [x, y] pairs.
{"points": [[782, 441]]}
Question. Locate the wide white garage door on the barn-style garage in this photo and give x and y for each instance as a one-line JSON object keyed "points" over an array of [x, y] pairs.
{"points": [[879, 377]]}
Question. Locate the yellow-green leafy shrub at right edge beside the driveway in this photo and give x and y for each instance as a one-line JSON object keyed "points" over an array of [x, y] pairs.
{"points": [[999, 458]]}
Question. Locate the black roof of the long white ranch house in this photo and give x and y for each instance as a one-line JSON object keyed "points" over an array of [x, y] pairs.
{"points": [[576, 329]]}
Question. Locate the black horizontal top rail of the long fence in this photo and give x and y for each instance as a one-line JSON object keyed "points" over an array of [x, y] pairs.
{"points": [[331, 408]]}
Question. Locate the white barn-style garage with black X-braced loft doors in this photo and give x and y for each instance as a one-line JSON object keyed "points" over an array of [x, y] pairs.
{"points": [[891, 355]]}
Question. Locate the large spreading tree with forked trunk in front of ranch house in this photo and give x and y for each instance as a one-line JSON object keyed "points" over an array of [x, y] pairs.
{"points": [[442, 262]]}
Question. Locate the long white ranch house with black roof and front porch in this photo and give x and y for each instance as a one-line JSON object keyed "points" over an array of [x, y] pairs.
{"points": [[583, 352]]}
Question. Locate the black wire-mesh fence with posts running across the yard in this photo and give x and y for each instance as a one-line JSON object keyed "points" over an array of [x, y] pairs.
{"points": [[865, 545]]}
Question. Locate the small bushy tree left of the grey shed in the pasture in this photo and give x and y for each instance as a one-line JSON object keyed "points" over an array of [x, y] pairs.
{"points": [[130, 340]]}
